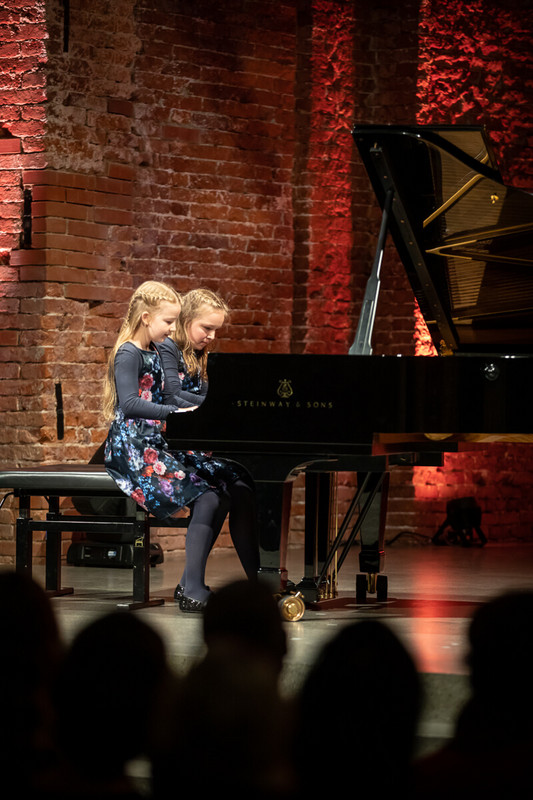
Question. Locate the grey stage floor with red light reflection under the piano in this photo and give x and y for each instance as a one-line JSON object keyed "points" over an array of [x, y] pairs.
{"points": [[432, 594]]}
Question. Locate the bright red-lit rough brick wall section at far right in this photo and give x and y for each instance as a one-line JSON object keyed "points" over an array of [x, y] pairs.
{"points": [[476, 68]]}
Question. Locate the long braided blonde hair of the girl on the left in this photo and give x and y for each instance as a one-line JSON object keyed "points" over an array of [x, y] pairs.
{"points": [[147, 297]]}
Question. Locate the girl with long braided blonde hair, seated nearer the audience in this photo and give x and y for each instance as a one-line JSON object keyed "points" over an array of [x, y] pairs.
{"points": [[136, 454]]}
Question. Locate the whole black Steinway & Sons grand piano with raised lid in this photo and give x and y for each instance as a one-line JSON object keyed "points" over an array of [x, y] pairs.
{"points": [[465, 240]]}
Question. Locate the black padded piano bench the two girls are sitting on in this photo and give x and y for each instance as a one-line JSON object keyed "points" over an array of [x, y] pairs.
{"points": [[78, 481]]}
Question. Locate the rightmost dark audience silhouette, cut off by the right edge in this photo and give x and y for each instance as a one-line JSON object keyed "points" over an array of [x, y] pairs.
{"points": [[489, 753]]}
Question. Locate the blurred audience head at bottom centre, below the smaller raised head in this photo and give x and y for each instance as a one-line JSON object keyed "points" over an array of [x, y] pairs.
{"points": [[228, 732]]}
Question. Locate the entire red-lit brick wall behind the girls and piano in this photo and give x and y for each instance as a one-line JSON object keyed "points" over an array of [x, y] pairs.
{"points": [[209, 143]]}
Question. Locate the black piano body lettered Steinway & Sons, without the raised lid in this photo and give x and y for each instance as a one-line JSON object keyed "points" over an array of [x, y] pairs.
{"points": [[279, 415]]}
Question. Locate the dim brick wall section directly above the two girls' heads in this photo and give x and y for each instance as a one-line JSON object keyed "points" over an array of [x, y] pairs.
{"points": [[213, 109]]}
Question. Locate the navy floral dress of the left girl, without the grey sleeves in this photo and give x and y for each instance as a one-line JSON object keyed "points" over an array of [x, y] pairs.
{"points": [[138, 458]]}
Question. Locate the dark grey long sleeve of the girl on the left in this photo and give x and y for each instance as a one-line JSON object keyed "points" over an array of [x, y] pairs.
{"points": [[128, 368]]}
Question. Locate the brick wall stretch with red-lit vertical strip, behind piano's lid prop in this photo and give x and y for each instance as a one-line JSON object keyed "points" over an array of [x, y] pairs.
{"points": [[357, 64]]}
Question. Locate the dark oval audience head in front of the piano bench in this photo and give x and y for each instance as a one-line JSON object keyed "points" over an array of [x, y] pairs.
{"points": [[112, 682]]}
